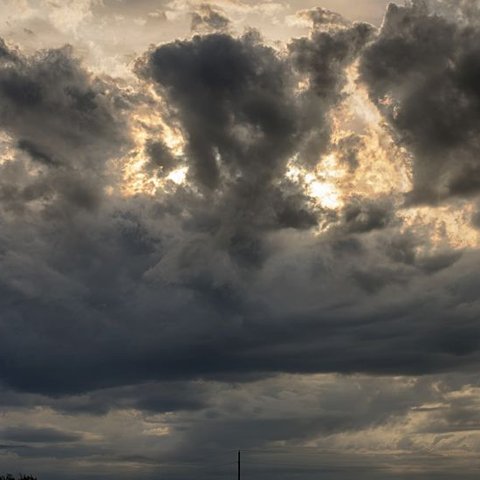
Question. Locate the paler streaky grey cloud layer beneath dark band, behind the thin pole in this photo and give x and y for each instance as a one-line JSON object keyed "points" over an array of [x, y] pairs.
{"points": [[419, 417]]}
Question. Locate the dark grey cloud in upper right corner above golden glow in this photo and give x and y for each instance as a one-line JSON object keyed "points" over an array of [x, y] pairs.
{"points": [[423, 72]]}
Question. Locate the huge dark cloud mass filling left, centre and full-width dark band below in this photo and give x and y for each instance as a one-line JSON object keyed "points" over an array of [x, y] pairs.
{"points": [[222, 279]]}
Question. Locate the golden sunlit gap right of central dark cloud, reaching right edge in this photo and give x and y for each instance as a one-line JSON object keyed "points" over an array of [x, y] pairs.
{"points": [[384, 169]]}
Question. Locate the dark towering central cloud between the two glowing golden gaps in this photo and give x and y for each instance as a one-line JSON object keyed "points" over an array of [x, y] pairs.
{"points": [[243, 120]]}
